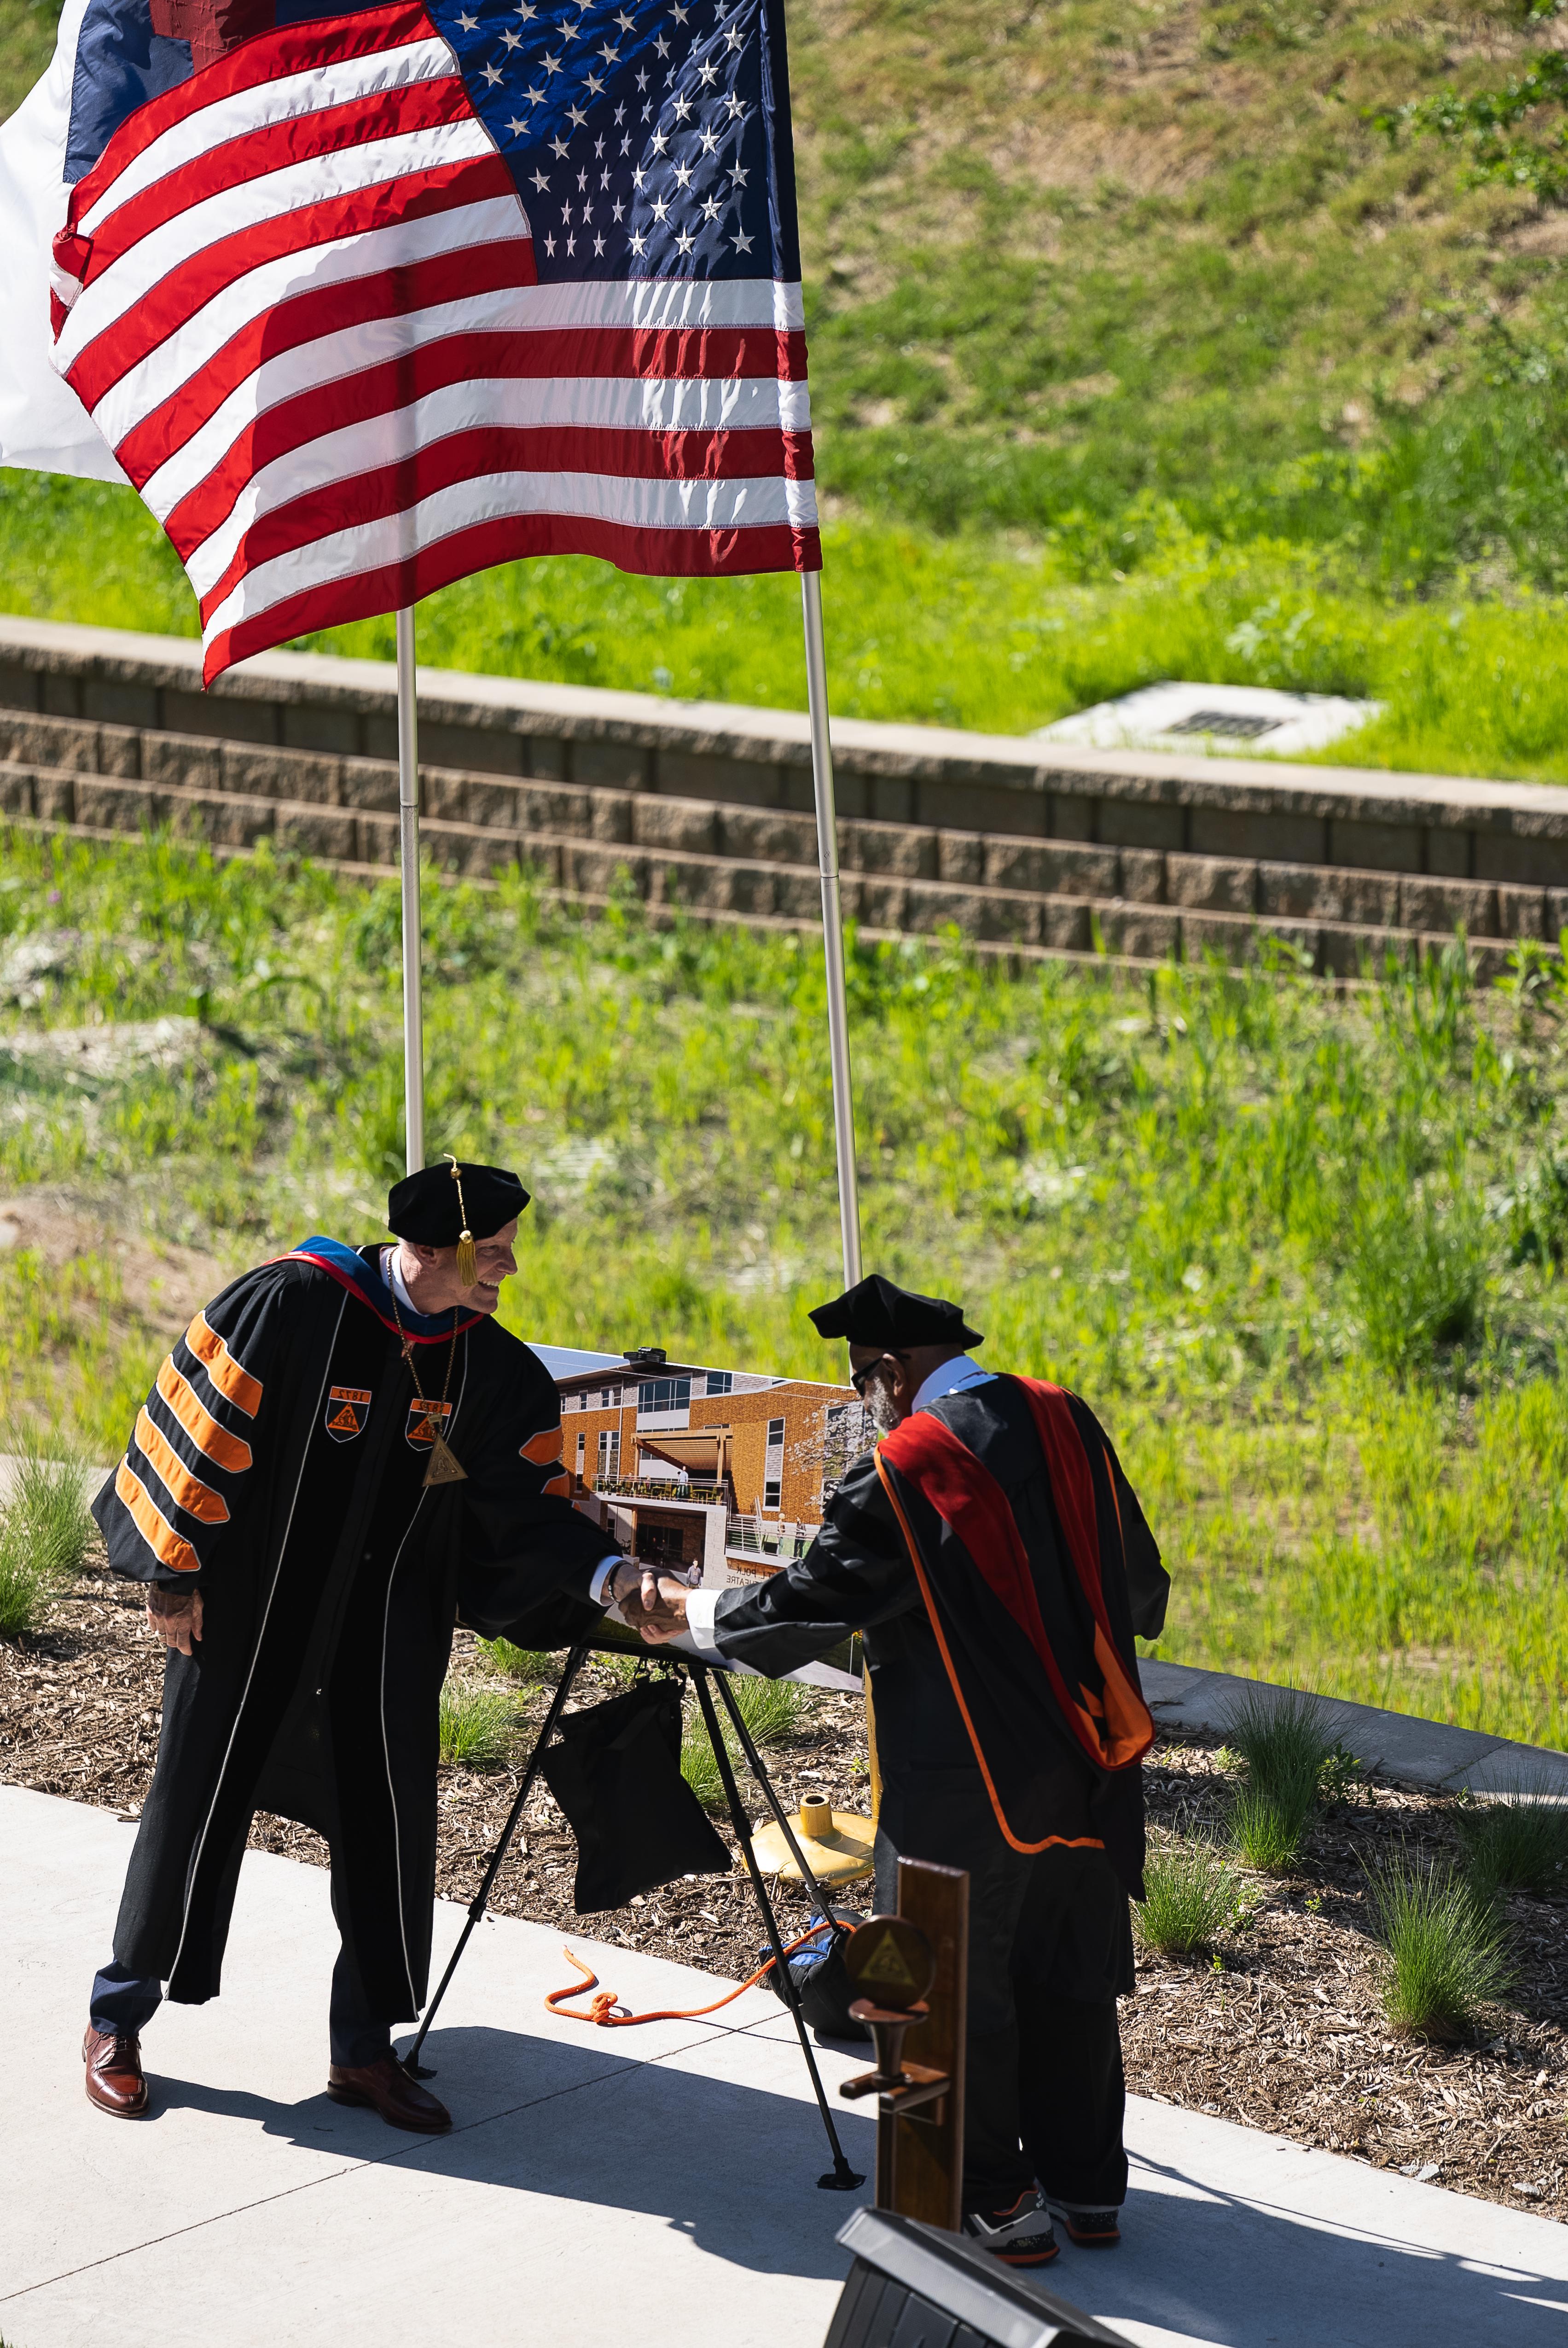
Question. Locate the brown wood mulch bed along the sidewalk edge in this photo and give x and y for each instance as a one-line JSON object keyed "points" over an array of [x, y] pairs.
{"points": [[1278, 2027]]}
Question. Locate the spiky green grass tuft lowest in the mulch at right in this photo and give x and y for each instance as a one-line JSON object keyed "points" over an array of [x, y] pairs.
{"points": [[1445, 1950]]}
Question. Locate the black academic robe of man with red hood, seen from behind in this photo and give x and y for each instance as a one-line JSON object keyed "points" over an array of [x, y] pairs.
{"points": [[959, 1696]]}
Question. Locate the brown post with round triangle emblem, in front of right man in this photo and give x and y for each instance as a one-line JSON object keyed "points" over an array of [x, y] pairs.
{"points": [[914, 1978]]}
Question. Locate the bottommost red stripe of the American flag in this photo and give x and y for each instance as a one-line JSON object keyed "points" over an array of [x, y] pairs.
{"points": [[508, 541]]}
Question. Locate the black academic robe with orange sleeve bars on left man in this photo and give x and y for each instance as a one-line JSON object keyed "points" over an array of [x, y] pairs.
{"points": [[278, 1466]]}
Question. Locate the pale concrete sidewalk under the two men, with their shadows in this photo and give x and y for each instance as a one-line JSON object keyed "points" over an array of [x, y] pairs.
{"points": [[649, 2185]]}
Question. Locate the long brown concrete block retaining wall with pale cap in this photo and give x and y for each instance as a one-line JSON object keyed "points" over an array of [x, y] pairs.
{"points": [[1013, 842]]}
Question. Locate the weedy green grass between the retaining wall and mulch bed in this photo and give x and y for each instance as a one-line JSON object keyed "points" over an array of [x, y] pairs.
{"points": [[1299, 1253]]}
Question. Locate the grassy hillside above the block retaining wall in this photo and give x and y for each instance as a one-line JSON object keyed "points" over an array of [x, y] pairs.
{"points": [[1137, 351]]}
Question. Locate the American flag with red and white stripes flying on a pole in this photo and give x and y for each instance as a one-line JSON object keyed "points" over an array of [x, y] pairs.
{"points": [[379, 299]]}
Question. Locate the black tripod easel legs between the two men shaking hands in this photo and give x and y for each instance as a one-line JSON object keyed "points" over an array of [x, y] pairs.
{"points": [[842, 2178]]}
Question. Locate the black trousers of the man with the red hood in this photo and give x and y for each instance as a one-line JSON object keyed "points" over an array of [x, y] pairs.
{"points": [[1050, 1952]]}
